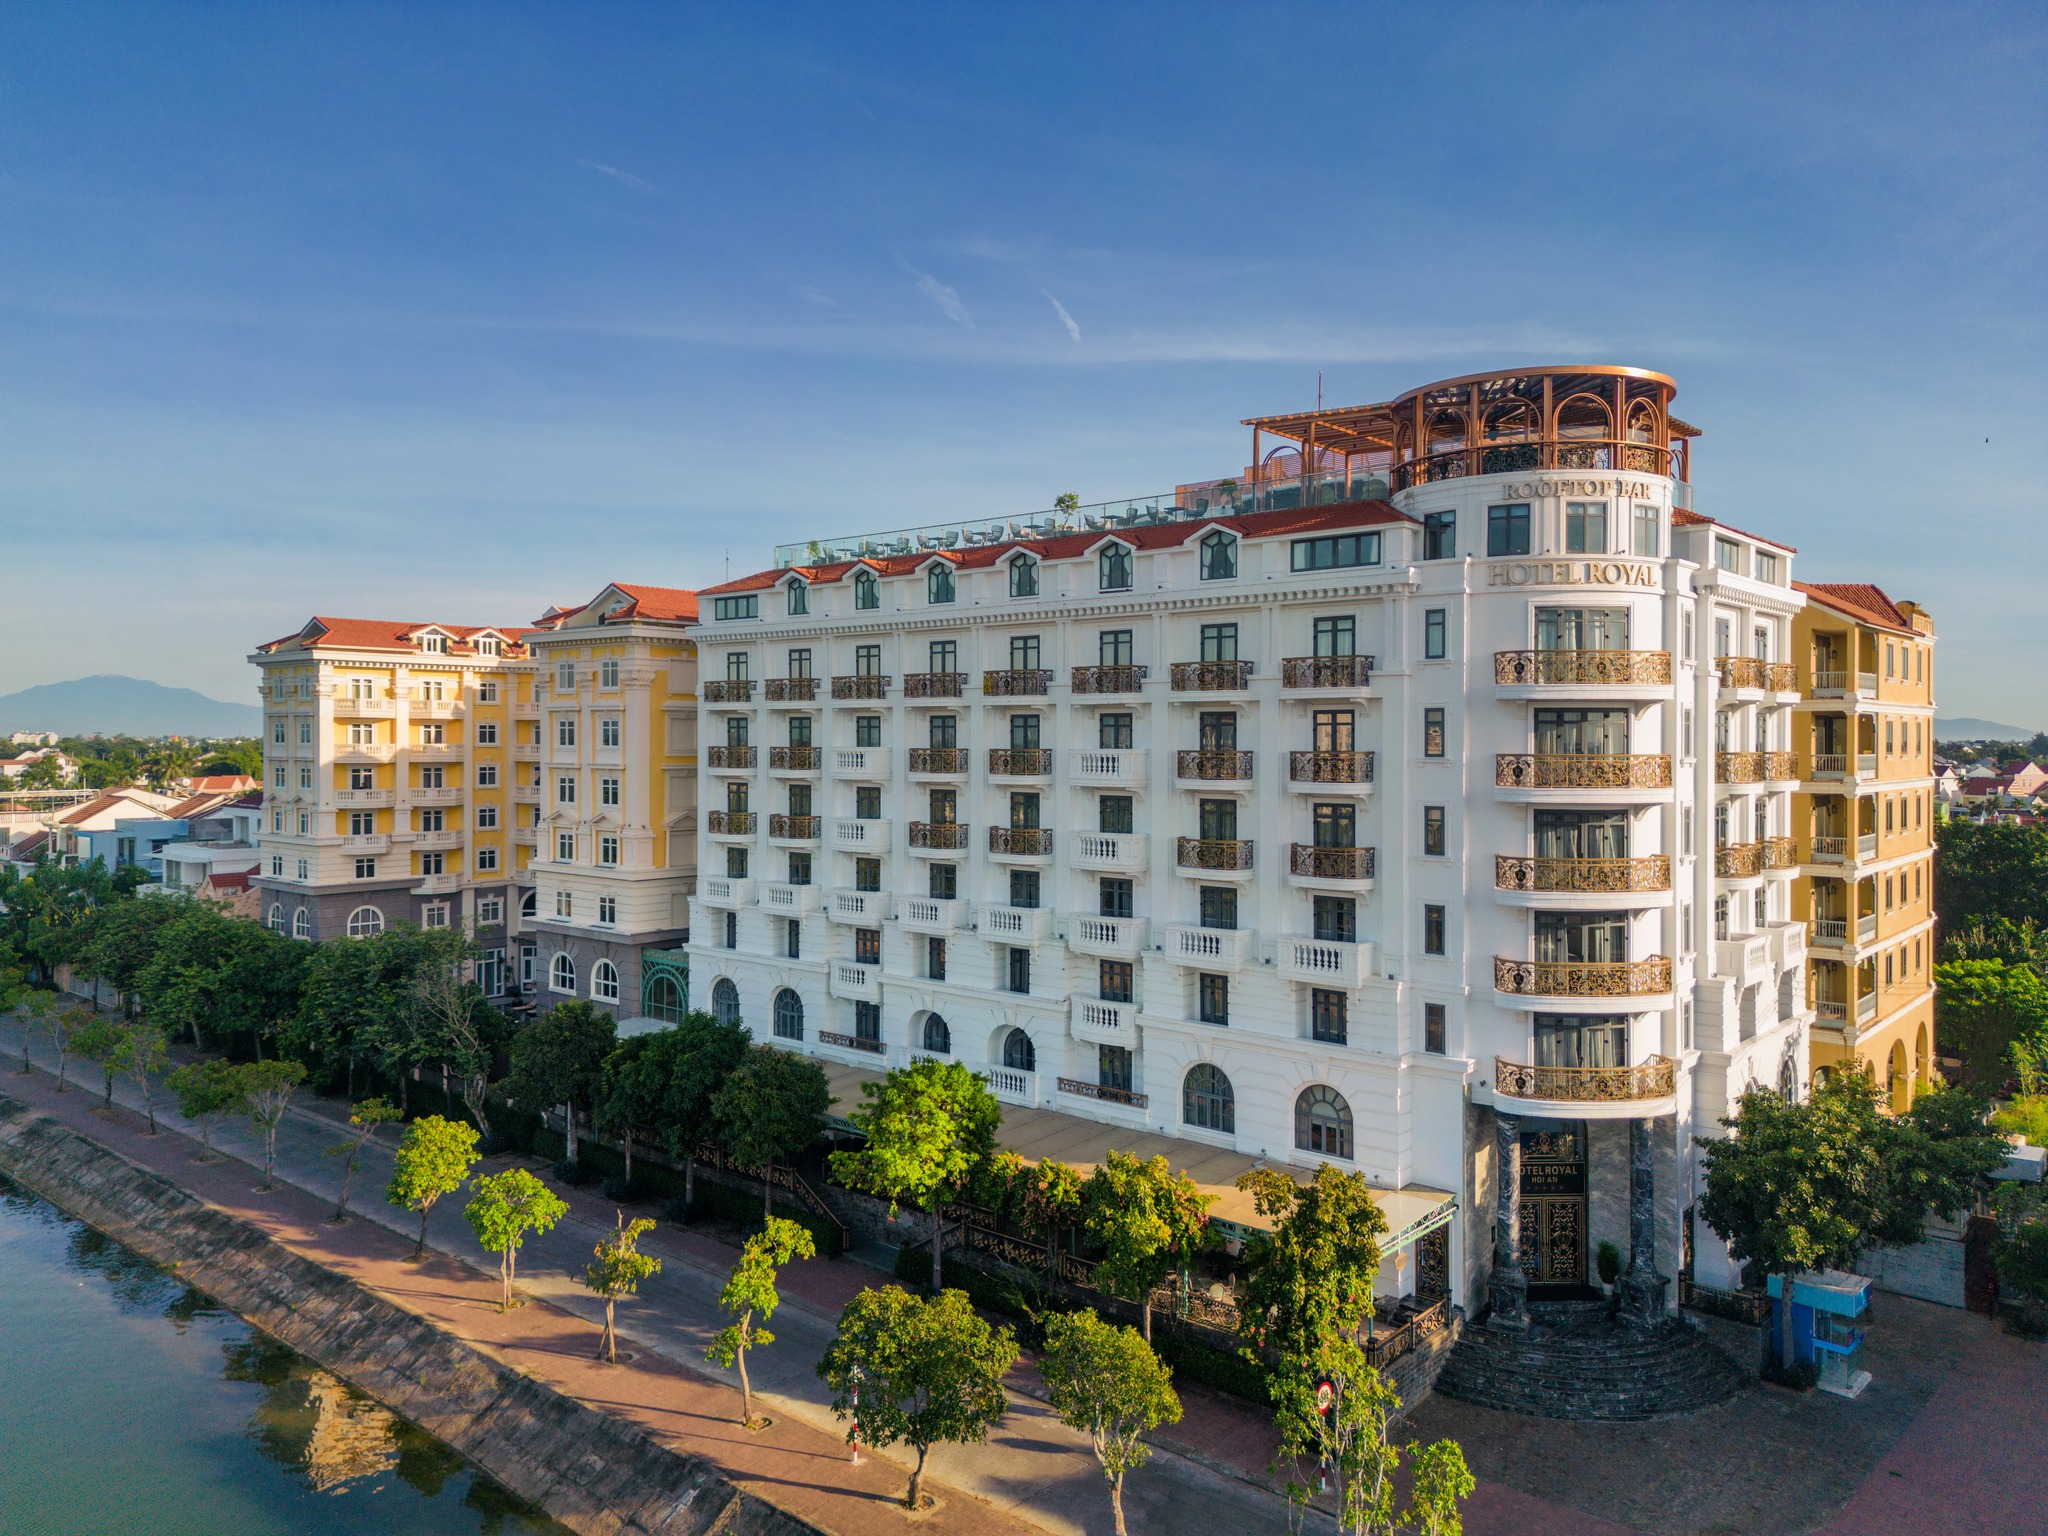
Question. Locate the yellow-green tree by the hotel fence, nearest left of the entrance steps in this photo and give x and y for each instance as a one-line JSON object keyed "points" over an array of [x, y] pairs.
{"points": [[1310, 1279]]}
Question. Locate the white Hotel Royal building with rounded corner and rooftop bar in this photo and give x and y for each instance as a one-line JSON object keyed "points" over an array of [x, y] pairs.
{"points": [[1365, 814]]}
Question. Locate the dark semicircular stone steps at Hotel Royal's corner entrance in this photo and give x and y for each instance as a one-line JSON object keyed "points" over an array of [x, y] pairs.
{"points": [[1578, 1363]]}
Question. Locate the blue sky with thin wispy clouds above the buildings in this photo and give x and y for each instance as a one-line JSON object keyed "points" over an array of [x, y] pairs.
{"points": [[454, 312]]}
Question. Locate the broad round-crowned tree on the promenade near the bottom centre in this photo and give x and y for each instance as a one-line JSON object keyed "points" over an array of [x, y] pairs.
{"points": [[919, 1373]]}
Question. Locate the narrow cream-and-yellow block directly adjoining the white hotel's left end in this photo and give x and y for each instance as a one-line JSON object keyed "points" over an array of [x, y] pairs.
{"points": [[613, 804]]}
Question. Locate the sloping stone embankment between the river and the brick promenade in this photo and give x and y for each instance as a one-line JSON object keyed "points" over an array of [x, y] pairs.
{"points": [[591, 1471]]}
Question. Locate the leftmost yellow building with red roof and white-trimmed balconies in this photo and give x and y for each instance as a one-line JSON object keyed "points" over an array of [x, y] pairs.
{"points": [[390, 761]]}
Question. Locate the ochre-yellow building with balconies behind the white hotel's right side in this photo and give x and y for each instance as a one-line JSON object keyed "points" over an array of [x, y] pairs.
{"points": [[1869, 810]]}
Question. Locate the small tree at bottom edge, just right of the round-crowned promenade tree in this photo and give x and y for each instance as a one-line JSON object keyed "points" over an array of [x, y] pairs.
{"points": [[1107, 1383]]}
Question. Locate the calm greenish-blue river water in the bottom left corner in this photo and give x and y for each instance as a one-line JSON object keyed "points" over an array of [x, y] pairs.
{"points": [[134, 1406]]}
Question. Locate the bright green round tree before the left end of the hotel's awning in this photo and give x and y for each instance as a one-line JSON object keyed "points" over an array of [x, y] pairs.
{"points": [[929, 1129]]}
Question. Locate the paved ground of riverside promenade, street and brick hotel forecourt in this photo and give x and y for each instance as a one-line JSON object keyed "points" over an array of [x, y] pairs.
{"points": [[1951, 1439]]}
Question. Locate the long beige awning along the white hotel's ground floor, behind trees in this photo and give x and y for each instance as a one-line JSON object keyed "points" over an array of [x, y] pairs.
{"points": [[1037, 1136]]}
